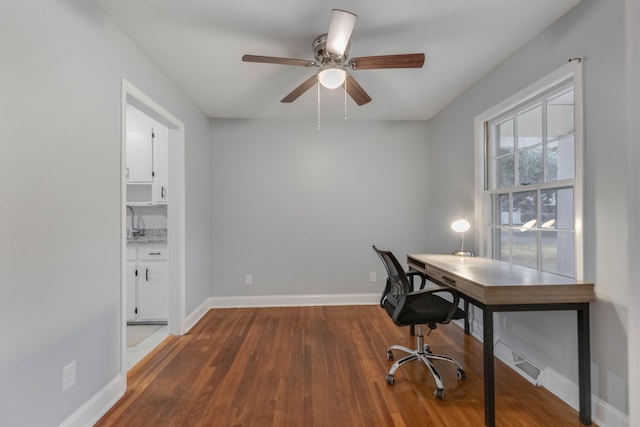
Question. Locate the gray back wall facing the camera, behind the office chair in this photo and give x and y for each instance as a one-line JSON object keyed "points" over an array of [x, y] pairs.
{"points": [[299, 208]]}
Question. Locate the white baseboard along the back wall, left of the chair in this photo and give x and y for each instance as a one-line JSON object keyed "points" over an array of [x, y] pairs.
{"points": [[293, 300]]}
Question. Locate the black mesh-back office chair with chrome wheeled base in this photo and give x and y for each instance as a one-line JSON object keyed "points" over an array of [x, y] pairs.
{"points": [[407, 307]]}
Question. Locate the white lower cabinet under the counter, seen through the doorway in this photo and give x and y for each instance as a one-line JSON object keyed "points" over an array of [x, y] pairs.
{"points": [[147, 284]]}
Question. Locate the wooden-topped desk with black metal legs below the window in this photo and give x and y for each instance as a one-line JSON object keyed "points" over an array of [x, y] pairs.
{"points": [[496, 286]]}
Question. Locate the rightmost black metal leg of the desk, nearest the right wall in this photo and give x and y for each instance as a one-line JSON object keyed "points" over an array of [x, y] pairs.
{"points": [[584, 364]]}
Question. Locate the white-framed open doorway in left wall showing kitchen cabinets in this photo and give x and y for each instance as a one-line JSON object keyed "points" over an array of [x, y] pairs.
{"points": [[160, 206]]}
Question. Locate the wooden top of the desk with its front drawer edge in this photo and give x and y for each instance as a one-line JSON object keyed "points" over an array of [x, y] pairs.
{"points": [[492, 281]]}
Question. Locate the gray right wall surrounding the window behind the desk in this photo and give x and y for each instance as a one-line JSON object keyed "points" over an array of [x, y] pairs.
{"points": [[595, 29]]}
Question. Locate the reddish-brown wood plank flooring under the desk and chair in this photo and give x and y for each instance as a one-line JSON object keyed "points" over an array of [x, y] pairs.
{"points": [[318, 366]]}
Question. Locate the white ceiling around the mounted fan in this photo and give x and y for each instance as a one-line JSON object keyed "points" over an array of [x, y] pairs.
{"points": [[200, 43]]}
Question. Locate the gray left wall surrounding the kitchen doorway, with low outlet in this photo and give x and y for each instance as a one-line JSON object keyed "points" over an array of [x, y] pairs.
{"points": [[60, 79]]}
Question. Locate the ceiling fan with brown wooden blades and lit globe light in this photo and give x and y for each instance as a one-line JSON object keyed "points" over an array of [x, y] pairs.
{"points": [[331, 52]]}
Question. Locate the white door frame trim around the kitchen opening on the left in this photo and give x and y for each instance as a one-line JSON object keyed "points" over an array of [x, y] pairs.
{"points": [[175, 212]]}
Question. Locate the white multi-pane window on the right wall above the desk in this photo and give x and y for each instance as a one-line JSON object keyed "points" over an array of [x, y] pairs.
{"points": [[529, 191]]}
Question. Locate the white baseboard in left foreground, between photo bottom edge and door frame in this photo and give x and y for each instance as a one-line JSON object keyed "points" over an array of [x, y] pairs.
{"points": [[89, 413]]}
